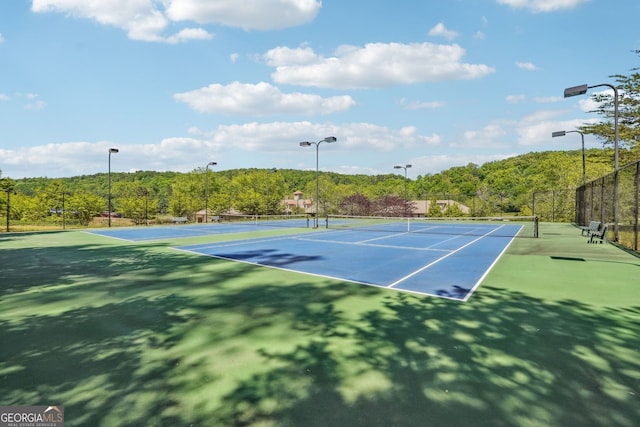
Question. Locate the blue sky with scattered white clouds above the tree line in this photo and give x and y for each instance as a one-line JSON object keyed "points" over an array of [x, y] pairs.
{"points": [[176, 84]]}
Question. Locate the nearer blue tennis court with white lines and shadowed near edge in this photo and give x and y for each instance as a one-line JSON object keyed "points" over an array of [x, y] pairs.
{"points": [[444, 265]]}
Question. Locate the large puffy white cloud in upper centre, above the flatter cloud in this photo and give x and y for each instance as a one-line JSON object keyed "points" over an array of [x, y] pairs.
{"points": [[373, 65]]}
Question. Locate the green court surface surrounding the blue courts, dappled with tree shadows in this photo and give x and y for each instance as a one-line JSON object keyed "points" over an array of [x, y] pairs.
{"points": [[139, 334]]}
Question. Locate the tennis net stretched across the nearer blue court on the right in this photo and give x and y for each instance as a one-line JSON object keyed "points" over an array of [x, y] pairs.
{"points": [[511, 226]]}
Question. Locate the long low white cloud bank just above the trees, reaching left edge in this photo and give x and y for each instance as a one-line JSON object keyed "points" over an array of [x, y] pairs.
{"points": [[225, 144]]}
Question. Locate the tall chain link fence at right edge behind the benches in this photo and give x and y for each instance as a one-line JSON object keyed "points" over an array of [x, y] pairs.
{"points": [[613, 199]]}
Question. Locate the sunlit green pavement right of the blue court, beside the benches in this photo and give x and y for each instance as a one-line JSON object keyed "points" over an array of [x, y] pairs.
{"points": [[561, 265]]}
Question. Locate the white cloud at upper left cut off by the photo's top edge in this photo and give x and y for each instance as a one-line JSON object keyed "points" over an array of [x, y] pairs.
{"points": [[148, 20]]}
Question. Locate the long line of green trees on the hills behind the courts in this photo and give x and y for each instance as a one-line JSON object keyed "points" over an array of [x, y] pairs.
{"points": [[494, 188]]}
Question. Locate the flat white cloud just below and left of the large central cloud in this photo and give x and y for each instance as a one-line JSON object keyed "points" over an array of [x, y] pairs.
{"points": [[260, 100]]}
